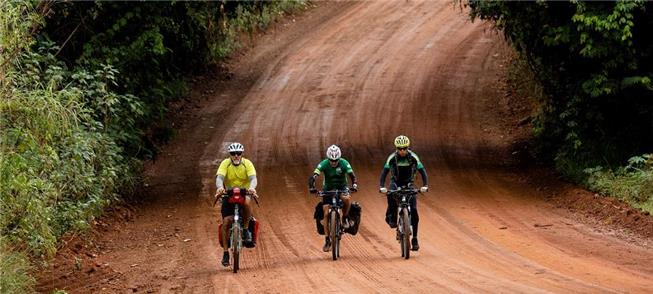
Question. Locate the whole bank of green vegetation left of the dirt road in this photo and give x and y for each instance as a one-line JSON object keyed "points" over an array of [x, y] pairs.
{"points": [[84, 90]]}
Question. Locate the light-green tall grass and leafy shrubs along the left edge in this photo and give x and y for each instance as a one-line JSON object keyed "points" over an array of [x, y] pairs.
{"points": [[59, 164]]}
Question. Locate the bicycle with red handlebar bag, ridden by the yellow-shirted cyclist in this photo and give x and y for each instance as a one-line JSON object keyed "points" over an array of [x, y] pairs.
{"points": [[236, 196]]}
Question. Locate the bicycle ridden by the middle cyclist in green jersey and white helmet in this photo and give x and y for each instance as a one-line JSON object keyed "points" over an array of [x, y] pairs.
{"points": [[334, 220]]}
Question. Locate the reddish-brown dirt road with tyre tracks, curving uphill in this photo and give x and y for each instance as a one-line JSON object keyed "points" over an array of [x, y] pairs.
{"points": [[357, 74]]}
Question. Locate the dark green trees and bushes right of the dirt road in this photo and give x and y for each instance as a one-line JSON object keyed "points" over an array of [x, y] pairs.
{"points": [[593, 63]]}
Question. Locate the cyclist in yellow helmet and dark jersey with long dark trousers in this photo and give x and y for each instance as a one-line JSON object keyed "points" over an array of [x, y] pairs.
{"points": [[403, 163]]}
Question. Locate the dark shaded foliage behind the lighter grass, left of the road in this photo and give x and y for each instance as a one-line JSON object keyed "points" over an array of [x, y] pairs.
{"points": [[154, 46]]}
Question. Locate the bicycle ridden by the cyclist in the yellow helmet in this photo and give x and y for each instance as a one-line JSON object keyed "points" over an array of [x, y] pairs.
{"points": [[403, 195]]}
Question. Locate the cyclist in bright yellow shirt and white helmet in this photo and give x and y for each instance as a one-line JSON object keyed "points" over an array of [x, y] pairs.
{"points": [[235, 171]]}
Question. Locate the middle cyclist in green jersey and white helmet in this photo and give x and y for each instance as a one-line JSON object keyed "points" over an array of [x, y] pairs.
{"points": [[335, 169]]}
